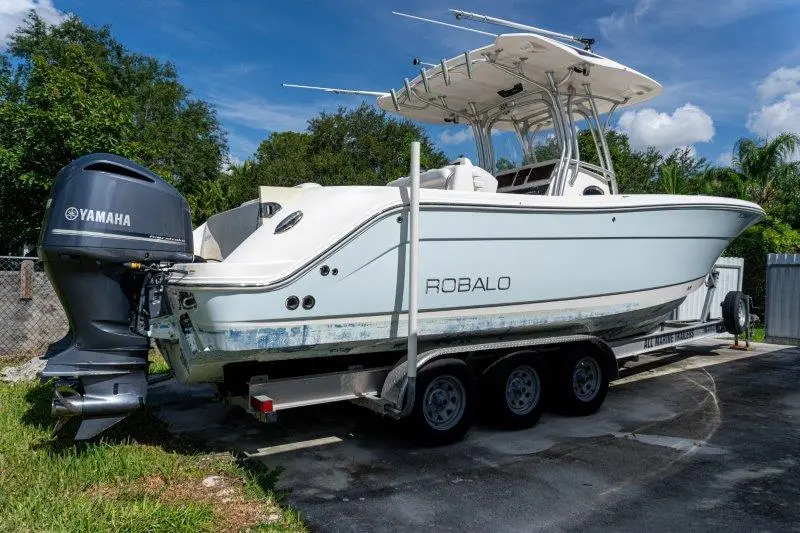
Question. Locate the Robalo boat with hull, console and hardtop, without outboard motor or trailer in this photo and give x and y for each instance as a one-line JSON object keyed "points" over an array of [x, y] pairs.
{"points": [[549, 247]]}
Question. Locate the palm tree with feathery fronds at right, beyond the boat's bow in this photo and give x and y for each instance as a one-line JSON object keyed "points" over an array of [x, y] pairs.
{"points": [[760, 169]]}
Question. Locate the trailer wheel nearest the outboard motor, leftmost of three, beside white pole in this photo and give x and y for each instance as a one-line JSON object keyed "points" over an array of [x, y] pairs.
{"points": [[442, 411]]}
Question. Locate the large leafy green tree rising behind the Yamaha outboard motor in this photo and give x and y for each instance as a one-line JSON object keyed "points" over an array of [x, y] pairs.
{"points": [[71, 89]]}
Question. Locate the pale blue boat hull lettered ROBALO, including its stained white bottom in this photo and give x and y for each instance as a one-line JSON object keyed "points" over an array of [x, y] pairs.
{"points": [[485, 272]]}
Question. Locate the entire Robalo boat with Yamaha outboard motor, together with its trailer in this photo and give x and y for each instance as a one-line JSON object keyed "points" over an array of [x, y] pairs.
{"points": [[309, 284]]}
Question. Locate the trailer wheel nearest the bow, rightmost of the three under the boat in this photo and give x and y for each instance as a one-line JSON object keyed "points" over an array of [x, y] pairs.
{"points": [[581, 382]]}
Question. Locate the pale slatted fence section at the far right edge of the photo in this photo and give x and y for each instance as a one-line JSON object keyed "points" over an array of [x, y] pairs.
{"points": [[782, 309]]}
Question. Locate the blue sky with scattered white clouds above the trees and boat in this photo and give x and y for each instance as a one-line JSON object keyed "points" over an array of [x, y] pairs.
{"points": [[730, 68]]}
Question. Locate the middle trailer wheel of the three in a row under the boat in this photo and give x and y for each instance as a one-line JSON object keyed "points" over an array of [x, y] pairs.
{"points": [[514, 391]]}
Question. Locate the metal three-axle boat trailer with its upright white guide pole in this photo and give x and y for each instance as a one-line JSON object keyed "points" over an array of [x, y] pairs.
{"points": [[392, 390]]}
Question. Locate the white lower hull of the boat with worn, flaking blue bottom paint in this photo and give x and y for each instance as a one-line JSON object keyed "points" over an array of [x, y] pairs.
{"points": [[205, 351]]}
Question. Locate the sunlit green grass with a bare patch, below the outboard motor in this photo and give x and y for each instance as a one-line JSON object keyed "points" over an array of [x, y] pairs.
{"points": [[137, 478]]}
